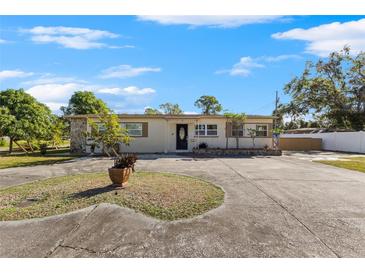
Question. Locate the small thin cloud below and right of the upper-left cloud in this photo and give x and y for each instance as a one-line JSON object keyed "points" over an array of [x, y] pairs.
{"points": [[126, 71]]}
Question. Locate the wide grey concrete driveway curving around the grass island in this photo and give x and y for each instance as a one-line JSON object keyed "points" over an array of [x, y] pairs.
{"points": [[274, 207]]}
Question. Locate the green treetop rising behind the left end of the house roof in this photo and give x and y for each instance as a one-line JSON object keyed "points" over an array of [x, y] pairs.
{"points": [[84, 102]]}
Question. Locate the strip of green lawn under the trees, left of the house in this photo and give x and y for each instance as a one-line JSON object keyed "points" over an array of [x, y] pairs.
{"points": [[22, 159]]}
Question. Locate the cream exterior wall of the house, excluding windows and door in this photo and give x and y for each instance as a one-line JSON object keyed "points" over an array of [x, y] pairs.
{"points": [[162, 135]]}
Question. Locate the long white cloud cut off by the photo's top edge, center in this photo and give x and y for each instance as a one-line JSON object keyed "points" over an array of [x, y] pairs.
{"points": [[211, 21]]}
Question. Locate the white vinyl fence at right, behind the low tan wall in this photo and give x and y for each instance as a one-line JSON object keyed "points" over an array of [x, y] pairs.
{"points": [[337, 141]]}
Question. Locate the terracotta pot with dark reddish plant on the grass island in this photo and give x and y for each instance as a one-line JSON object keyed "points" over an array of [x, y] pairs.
{"points": [[121, 170]]}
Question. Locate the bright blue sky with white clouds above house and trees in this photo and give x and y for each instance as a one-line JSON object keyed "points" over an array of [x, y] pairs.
{"points": [[134, 62]]}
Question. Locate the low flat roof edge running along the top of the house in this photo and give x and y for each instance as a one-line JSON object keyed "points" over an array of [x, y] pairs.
{"points": [[168, 116]]}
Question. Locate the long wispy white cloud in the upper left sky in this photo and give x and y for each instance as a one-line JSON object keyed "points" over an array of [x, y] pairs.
{"points": [[70, 37]]}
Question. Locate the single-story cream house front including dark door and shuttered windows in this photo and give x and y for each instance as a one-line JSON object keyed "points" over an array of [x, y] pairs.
{"points": [[176, 133]]}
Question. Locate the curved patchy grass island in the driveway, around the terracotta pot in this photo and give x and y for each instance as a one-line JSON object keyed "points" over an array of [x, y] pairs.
{"points": [[160, 195]]}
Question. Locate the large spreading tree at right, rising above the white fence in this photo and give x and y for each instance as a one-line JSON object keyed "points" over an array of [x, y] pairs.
{"points": [[332, 90]]}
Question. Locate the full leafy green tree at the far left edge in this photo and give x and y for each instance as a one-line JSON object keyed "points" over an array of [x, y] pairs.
{"points": [[22, 117]]}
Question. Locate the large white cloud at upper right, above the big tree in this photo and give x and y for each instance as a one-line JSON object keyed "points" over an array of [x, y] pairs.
{"points": [[323, 39]]}
